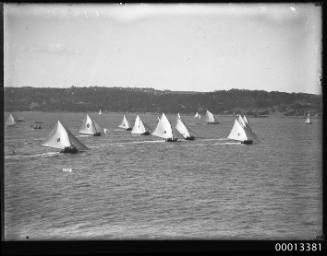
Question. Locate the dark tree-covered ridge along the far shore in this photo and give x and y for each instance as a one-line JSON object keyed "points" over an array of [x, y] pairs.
{"points": [[116, 99]]}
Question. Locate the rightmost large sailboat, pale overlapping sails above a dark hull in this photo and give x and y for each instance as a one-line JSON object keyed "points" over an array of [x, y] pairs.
{"points": [[241, 131]]}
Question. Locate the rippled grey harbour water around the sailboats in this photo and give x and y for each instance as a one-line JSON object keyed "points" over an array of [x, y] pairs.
{"points": [[128, 187]]}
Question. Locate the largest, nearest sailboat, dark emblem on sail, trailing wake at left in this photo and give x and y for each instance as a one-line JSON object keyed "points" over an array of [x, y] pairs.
{"points": [[60, 137]]}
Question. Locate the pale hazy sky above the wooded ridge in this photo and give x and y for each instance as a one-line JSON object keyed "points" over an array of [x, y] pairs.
{"points": [[179, 47]]}
